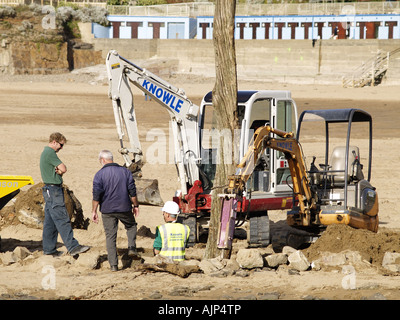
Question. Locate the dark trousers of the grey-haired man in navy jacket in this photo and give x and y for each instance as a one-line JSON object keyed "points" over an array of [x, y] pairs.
{"points": [[110, 223]]}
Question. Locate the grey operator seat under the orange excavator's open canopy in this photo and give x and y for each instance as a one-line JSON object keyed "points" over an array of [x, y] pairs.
{"points": [[354, 168]]}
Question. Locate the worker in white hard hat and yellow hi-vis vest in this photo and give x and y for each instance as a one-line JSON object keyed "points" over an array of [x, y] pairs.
{"points": [[172, 237]]}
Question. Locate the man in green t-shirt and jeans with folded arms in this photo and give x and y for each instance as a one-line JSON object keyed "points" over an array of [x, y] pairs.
{"points": [[56, 218]]}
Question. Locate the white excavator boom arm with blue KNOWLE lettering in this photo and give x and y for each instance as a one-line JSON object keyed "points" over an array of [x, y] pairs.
{"points": [[183, 113]]}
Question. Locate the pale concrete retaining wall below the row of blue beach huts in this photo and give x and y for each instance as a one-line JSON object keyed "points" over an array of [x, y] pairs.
{"points": [[281, 60]]}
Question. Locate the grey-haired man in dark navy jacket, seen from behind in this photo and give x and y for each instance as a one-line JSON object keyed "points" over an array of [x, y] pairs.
{"points": [[114, 190]]}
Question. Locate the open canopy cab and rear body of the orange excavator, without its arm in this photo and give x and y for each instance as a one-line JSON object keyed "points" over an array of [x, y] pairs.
{"points": [[342, 183]]}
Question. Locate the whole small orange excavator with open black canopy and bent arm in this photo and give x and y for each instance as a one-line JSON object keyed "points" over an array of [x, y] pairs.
{"points": [[337, 193]]}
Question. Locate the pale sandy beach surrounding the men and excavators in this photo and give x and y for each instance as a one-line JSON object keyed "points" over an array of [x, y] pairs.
{"points": [[34, 106]]}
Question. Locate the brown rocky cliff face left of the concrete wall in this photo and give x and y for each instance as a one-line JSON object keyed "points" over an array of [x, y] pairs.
{"points": [[28, 48]]}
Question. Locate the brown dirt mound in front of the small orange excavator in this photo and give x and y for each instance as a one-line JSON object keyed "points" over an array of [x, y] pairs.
{"points": [[371, 246]]}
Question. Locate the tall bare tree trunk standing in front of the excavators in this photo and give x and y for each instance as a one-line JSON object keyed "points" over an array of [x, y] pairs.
{"points": [[225, 110]]}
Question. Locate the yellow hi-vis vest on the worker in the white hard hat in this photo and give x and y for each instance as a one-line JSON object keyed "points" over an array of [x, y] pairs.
{"points": [[174, 237]]}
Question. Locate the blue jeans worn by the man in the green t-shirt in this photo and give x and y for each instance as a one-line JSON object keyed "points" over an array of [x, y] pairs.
{"points": [[56, 220]]}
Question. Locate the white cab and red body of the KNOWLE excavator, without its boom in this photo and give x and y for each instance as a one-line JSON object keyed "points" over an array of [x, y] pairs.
{"points": [[269, 186]]}
